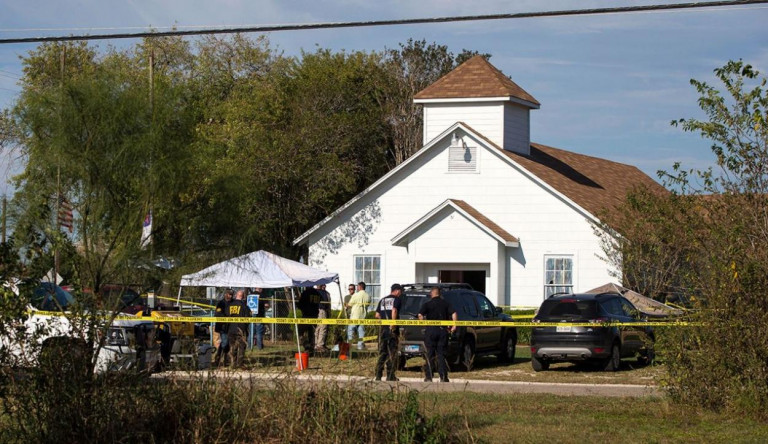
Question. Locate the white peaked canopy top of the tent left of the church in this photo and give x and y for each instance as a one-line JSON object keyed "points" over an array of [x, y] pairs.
{"points": [[259, 269]]}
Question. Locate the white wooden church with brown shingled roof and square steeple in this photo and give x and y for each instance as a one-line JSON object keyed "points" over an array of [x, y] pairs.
{"points": [[478, 203]]}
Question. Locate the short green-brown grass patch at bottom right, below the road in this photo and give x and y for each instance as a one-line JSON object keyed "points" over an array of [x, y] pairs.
{"points": [[550, 418]]}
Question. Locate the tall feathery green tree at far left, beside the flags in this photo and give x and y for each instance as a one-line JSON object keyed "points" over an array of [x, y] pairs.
{"points": [[93, 139]]}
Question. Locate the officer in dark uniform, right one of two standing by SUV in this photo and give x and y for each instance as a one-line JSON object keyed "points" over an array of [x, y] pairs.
{"points": [[436, 337]]}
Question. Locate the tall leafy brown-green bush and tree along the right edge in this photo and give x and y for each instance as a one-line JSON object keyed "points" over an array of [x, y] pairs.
{"points": [[711, 232]]}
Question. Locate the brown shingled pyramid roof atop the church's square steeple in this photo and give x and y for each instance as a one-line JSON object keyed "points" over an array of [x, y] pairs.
{"points": [[475, 78]]}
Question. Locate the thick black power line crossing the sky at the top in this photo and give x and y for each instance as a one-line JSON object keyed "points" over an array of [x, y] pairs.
{"points": [[361, 24]]}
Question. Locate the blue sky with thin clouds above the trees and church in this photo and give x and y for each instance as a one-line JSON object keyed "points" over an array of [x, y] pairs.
{"points": [[609, 85]]}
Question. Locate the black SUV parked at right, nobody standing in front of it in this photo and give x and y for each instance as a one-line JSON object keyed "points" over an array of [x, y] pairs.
{"points": [[604, 344]]}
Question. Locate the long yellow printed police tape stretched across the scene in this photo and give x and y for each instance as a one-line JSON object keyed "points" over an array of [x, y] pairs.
{"points": [[380, 322]]}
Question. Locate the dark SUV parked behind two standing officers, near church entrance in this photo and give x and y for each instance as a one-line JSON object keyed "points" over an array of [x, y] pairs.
{"points": [[466, 342]]}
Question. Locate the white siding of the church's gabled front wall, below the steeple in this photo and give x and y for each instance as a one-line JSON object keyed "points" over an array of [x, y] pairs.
{"points": [[544, 223]]}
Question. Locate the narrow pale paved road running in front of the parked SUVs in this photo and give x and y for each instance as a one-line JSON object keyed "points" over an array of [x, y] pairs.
{"points": [[456, 385]]}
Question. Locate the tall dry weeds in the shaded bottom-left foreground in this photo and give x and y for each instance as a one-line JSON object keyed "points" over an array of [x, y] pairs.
{"points": [[133, 408]]}
